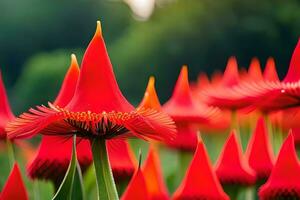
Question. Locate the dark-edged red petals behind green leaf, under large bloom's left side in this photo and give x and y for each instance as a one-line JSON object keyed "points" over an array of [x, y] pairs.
{"points": [[54, 155]]}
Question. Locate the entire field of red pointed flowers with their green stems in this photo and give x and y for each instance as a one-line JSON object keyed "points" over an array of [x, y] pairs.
{"points": [[226, 133]]}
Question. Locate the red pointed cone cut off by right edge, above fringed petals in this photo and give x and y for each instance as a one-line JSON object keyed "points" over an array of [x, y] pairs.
{"points": [[293, 74]]}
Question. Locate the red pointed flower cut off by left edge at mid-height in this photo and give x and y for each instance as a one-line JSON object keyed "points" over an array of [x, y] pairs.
{"points": [[6, 114]]}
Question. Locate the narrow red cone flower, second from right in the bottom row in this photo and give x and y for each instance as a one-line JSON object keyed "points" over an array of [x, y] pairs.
{"points": [[259, 151]]}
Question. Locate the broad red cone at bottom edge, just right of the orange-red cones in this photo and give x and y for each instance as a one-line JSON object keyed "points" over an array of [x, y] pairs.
{"points": [[200, 181]]}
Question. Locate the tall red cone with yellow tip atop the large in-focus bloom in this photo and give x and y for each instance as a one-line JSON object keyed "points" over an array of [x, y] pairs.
{"points": [[97, 89]]}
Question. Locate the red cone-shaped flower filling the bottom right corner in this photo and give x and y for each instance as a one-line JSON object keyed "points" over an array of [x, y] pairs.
{"points": [[283, 182]]}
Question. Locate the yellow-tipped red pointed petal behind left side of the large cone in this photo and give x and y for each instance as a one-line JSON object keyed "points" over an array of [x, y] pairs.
{"points": [[69, 84]]}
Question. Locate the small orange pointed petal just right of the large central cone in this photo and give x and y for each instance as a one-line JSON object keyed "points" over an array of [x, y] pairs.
{"points": [[150, 99]]}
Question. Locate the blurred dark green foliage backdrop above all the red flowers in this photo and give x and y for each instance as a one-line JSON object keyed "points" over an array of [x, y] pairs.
{"points": [[38, 37]]}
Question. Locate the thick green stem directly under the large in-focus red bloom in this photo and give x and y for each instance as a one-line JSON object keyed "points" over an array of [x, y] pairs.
{"points": [[104, 177]]}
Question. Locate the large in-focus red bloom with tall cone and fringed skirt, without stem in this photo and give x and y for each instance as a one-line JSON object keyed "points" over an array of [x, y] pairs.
{"points": [[97, 110]]}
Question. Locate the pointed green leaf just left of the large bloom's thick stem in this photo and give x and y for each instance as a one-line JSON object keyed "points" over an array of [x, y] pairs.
{"points": [[65, 190]]}
